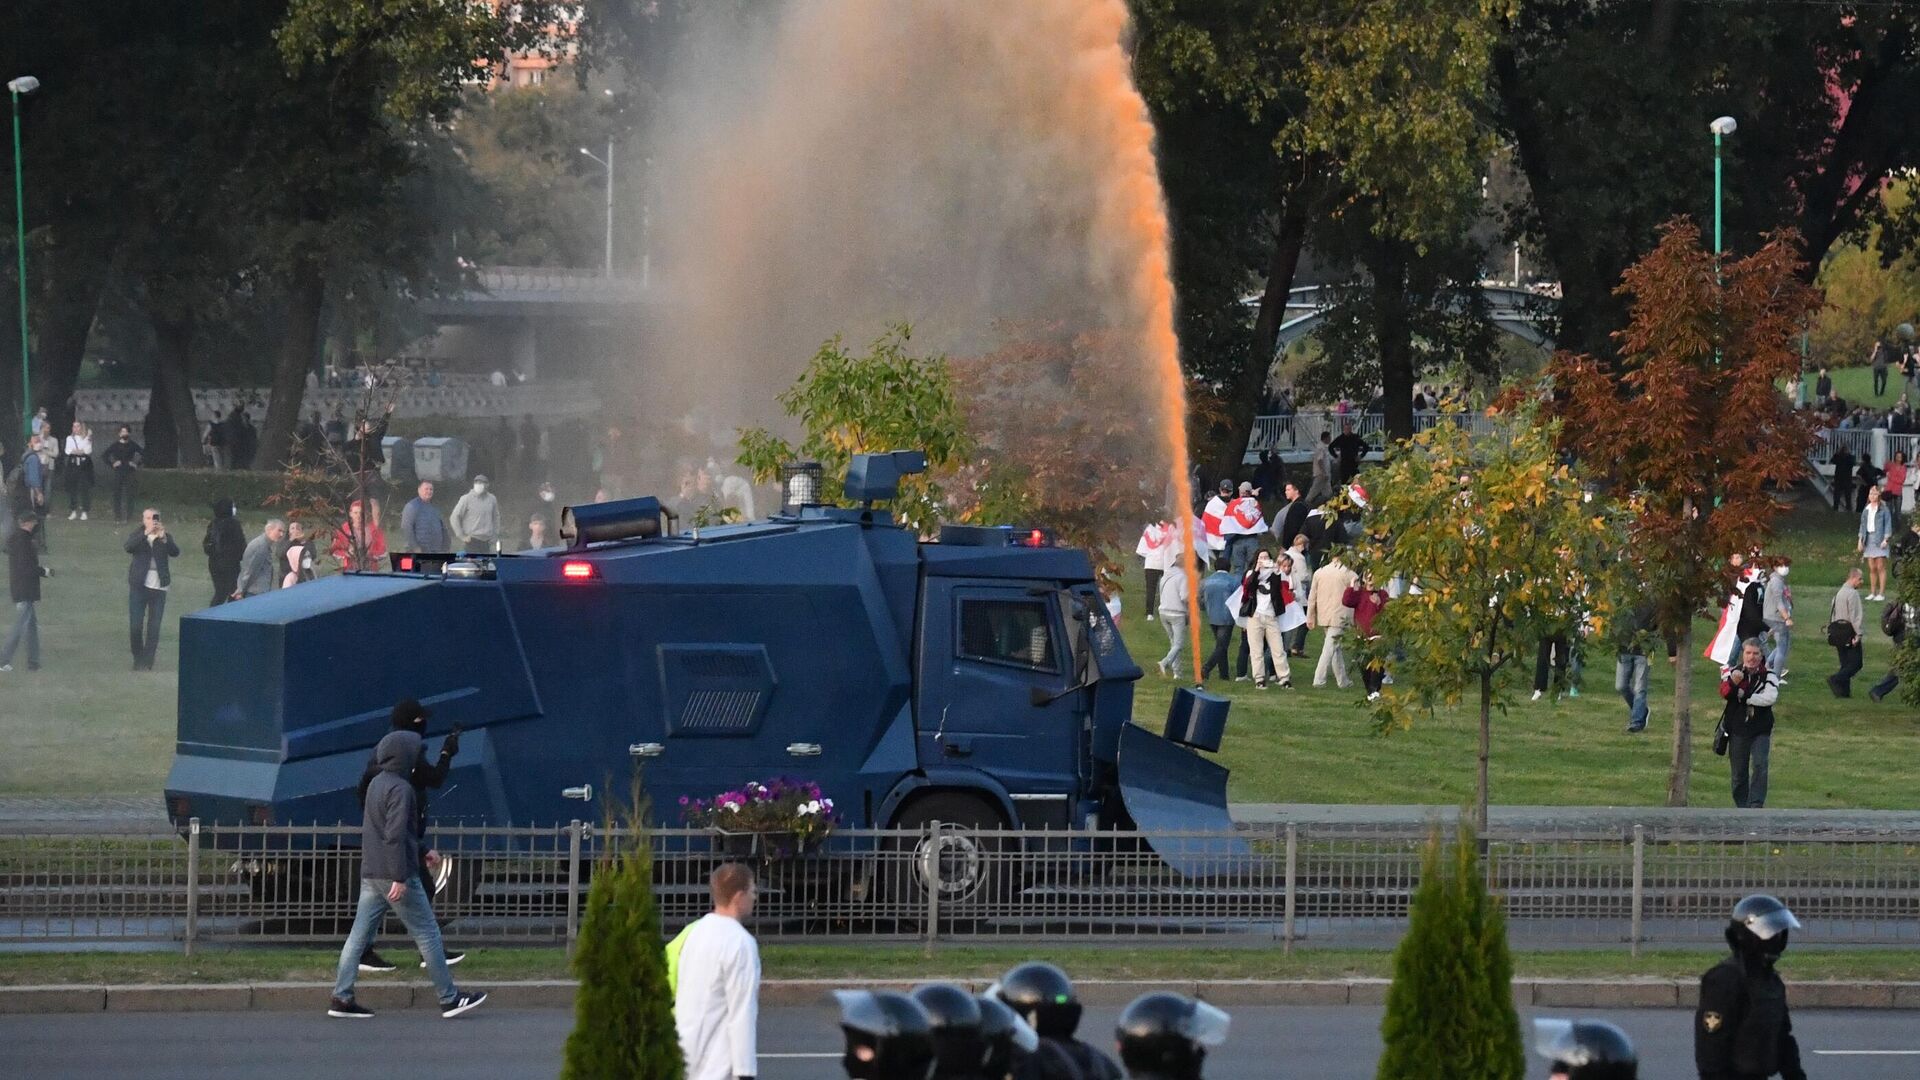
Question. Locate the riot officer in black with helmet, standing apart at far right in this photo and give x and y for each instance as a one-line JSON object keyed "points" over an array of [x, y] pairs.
{"points": [[1742, 1029]]}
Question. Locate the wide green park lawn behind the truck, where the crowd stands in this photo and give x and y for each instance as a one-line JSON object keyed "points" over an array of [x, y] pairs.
{"points": [[89, 725]]}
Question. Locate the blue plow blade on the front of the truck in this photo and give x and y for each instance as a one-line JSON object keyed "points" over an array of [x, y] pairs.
{"points": [[1170, 789]]}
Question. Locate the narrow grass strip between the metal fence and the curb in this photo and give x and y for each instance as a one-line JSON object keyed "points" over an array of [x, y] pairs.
{"points": [[827, 960]]}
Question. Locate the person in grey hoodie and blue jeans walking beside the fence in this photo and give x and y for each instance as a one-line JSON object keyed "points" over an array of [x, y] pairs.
{"points": [[391, 879]]}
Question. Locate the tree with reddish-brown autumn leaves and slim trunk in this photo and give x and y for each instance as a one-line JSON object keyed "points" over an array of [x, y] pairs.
{"points": [[1691, 422]]}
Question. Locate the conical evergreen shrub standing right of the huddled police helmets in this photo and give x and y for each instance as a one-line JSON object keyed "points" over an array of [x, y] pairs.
{"points": [[1451, 1008]]}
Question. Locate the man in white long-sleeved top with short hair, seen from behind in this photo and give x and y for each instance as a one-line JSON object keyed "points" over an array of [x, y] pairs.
{"points": [[717, 1004]]}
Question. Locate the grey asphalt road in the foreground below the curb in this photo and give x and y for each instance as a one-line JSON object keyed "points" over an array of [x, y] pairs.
{"points": [[798, 1044]]}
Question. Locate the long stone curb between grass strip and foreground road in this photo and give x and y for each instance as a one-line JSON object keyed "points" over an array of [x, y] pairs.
{"points": [[560, 994]]}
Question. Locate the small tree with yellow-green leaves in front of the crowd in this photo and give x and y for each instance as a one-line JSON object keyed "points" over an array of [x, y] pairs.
{"points": [[1504, 549]]}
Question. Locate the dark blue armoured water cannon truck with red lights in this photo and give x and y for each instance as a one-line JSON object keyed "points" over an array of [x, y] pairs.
{"points": [[974, 679]]}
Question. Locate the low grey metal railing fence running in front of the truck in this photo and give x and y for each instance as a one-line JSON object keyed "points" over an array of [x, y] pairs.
{"points": [[1303, 885]]}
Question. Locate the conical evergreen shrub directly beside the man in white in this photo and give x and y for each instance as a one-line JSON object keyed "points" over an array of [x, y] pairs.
{"points": [[623, 1012]]}
